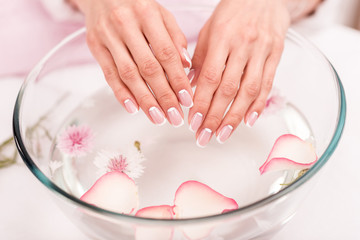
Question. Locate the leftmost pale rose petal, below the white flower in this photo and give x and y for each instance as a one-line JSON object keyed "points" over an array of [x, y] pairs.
{"points": [[114, 191]]}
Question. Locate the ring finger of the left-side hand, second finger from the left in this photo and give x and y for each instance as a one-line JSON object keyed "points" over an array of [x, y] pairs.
{"points": [[129, 74]]}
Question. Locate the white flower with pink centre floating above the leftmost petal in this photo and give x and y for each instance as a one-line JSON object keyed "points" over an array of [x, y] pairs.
{"points": [[129, 163]]}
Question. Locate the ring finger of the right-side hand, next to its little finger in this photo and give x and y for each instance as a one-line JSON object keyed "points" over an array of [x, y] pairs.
{"points": [[249, 90]]}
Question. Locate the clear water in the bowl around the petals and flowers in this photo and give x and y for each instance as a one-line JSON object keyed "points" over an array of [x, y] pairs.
{"points": [[172, 156]]}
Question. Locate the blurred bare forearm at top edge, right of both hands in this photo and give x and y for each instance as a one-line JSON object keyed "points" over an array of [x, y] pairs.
{"points": [[301, 8]]}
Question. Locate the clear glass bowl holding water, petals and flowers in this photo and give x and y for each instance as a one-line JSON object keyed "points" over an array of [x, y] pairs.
{"points": [[67, 87]]}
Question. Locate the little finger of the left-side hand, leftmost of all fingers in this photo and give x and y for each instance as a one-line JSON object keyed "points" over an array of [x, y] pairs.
{"points": [[107, 64]]}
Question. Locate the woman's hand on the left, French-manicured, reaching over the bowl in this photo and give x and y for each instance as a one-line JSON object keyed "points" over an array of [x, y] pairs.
{"points": [[142, 53]]}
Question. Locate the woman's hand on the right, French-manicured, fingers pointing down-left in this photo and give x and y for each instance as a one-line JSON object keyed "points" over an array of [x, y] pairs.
{"points": [[234, 62]]}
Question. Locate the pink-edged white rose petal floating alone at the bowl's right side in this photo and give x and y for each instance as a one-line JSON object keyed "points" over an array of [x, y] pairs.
{"points": [[289, 152]]}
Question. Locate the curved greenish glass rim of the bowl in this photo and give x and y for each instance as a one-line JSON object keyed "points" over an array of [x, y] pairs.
{"points": [[260, 203]]}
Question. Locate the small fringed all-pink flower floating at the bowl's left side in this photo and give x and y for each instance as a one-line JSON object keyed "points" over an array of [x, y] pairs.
{"points": [[76, 141]]}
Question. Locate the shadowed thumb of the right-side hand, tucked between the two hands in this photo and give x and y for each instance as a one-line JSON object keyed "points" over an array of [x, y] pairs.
{"points": [[199, 56]]}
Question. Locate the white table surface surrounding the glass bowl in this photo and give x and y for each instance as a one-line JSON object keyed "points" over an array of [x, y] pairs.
{"points": [[331, 211]]}
